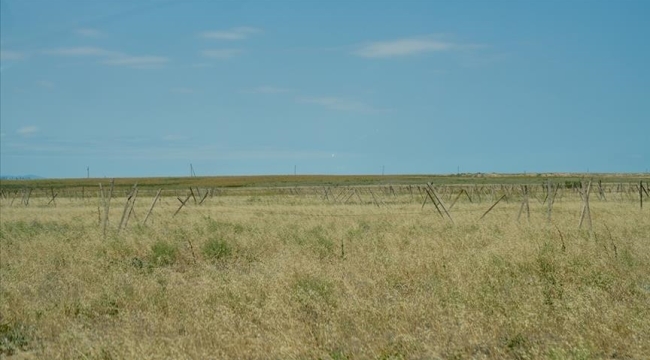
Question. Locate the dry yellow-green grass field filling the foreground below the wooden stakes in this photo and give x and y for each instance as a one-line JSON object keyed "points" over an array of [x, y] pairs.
{"points": [[282, 276]]}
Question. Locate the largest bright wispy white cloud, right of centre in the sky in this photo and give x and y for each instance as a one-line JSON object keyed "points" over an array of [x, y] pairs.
{"points": [[407, 47]]}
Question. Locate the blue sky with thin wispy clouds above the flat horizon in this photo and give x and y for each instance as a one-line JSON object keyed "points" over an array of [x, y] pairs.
{"points": [[146, 88]]}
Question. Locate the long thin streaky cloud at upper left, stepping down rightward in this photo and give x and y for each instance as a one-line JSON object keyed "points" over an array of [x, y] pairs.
{"points": [[113, 58]]}
